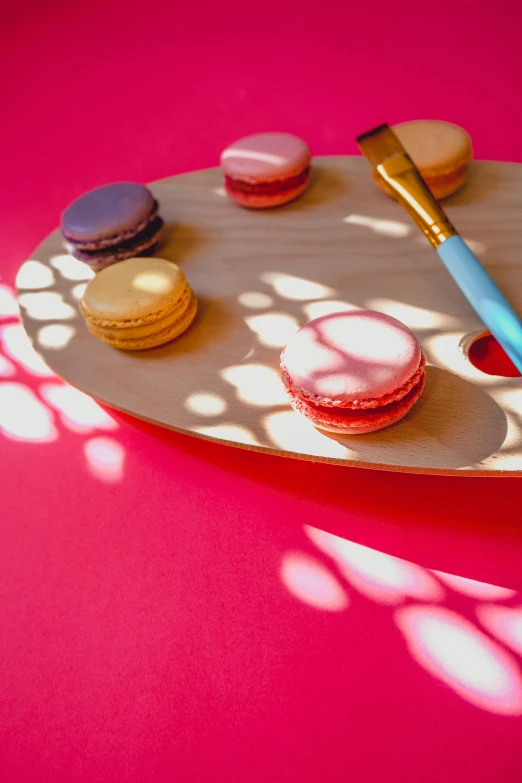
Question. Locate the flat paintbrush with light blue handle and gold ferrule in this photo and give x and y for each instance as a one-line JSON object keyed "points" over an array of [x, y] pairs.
{"points": [[389, 158]]}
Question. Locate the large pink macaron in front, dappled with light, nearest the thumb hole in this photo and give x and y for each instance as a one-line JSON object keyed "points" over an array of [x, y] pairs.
{"points": [[353, 372]]}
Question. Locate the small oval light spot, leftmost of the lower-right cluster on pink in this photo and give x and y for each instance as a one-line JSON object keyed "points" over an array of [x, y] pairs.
{"points": [[313, 584]]}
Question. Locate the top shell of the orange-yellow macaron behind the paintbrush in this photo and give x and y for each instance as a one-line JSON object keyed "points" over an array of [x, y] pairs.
{"points": [[435, 147]]}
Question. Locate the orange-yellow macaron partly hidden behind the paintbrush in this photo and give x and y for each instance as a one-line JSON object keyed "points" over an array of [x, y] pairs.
{"points": [[440, 150]]}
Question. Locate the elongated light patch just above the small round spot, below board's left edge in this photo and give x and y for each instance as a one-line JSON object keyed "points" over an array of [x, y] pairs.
{"points": [[78, 411]]}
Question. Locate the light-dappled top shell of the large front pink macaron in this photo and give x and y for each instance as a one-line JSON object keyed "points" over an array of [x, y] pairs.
{"points": [[355, 358]]}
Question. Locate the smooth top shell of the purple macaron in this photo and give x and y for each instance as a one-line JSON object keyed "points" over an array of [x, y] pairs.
{"points": [[106, 211]]}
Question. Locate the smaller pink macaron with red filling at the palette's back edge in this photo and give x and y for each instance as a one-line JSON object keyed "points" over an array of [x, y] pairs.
{"points": [[266, 170]]}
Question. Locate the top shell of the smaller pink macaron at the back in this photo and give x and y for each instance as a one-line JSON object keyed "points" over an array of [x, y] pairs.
{"points": [[265, 156]]}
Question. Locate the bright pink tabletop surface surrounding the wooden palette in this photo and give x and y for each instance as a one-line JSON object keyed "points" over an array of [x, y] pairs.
{"points": [[173, 610]]}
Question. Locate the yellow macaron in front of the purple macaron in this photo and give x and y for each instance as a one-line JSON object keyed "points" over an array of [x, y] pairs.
{"points": [[139, 303]]}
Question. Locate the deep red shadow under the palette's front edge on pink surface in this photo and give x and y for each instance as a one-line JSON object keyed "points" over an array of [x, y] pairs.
{"points": [[463, 526]]}
